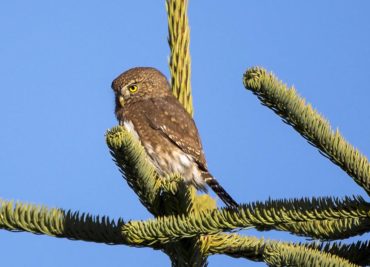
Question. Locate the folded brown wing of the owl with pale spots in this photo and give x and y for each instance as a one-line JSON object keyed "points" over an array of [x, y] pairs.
{"points": [[174, 122]]}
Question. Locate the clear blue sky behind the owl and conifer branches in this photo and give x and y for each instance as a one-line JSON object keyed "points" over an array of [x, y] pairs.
{"points": [[57, 63]]}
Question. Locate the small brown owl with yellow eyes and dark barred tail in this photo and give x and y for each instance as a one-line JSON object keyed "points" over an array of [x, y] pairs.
{"points": [[146, 107]]}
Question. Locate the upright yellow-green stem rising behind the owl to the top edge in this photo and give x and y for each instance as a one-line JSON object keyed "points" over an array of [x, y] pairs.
{"points": [[179, 42]]}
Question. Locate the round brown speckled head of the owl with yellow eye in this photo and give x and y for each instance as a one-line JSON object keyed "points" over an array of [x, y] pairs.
{"points": [[139, 83]]}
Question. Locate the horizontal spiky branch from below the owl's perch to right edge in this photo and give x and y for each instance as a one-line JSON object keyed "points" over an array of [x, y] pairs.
{"points": [[294, 215]]}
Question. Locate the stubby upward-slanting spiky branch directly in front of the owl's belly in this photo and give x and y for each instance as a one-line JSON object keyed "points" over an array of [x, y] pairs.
{"points": [[161, 195]]}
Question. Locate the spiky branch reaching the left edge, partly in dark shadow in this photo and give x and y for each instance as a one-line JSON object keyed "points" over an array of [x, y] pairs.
{"points": [[60, 223]]}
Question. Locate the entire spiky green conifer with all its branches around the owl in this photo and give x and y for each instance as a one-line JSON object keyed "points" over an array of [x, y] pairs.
{"points": [[191, 227]]}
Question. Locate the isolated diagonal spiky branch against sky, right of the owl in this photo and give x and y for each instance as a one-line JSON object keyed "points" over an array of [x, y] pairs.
{"points": [[309, 123]]}
